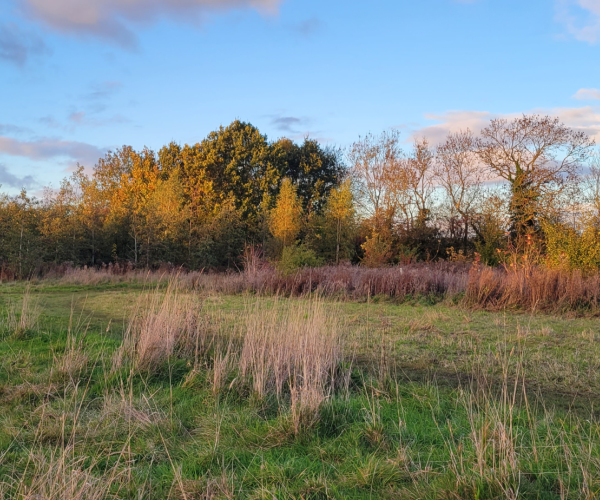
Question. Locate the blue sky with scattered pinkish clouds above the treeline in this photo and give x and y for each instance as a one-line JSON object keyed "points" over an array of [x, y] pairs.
{"points": [[81, 77]]}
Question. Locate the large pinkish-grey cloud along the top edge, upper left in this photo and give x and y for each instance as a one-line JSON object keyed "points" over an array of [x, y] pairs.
{"points": [[109, 18]]}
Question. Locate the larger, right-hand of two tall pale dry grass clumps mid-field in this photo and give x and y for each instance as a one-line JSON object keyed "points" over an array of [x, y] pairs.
{"points": [[296, 348]]}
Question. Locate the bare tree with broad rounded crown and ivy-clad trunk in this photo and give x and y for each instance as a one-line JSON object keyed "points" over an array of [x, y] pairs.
{"points": [[535, 155]]}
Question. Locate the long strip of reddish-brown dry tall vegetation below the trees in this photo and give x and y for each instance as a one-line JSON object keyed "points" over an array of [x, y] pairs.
{"points": [[532, 288]]}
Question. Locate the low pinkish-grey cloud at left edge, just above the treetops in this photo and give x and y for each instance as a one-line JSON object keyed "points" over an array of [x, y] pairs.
{"points": [[50, 148]]}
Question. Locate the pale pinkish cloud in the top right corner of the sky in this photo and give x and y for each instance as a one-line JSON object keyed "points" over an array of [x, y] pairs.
{"points": [[581, 18]]}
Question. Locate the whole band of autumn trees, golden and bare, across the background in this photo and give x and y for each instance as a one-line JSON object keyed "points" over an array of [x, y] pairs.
{"points": [[527, 187]]}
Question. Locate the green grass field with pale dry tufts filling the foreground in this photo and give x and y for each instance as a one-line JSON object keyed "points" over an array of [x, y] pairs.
{"points": [[127, 391]]}
